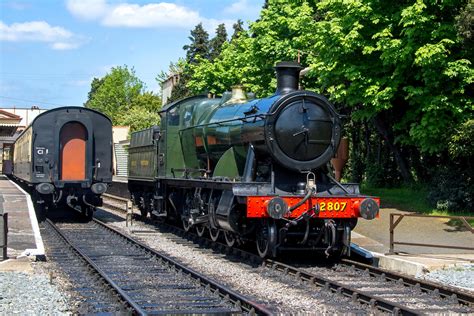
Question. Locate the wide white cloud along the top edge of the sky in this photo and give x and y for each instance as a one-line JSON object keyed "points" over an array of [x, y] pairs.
{"points": [[159, 14]]}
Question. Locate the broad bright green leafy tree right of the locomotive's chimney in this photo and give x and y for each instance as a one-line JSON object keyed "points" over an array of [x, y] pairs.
{"points": [[399, 65]]}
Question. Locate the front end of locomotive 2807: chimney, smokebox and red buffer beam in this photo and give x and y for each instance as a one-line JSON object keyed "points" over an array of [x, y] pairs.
{"points": [[306, 206]]}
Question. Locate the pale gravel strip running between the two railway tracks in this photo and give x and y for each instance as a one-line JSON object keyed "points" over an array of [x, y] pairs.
{"points": [[281, 293]]}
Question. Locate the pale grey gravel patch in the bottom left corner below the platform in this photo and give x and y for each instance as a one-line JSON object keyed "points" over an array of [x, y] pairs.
{"points": [[31, 294]]}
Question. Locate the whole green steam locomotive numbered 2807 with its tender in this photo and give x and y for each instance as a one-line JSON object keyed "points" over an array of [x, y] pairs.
{"points": [[250, 170]]}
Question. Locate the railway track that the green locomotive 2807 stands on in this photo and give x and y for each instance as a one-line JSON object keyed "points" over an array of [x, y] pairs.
{"points": [[380, 289]]}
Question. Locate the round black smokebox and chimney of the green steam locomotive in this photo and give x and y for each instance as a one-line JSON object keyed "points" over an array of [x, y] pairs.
{"points": [[302, 130]]}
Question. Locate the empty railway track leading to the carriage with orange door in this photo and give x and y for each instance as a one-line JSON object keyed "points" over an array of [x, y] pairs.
{"points": [[137, 278]]}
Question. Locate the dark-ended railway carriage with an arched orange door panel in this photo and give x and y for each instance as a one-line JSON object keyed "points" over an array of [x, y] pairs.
{"points": [[65, 158]]}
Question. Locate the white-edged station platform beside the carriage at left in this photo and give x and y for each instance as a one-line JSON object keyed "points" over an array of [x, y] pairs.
{"points": [[24, 239]]}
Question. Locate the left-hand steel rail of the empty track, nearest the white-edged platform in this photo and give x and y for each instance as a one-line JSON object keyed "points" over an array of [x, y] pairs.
{"points": [[127, 299]]}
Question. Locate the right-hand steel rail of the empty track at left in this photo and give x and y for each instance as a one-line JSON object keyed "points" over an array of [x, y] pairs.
{"points": [[226, 293]]}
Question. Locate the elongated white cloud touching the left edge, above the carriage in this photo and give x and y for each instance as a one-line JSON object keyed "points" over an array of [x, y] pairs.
{"points": [[39, 31]]}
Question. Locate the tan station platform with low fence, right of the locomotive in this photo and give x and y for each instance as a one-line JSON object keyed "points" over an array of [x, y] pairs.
{"points": [[374, 236]]}
